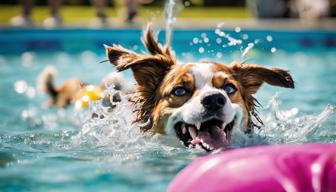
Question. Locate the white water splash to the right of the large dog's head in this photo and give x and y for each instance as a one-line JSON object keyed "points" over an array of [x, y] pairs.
{"points": [[291, 126]]}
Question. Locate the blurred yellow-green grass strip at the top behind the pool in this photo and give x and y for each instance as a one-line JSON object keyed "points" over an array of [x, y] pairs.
{"points": [[74, 14]]}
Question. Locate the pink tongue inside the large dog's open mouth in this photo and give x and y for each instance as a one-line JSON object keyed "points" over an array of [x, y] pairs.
{"points": [[213, 136]]}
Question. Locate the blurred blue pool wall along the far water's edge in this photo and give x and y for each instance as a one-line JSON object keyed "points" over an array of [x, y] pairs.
{"points": [[72, 40]]}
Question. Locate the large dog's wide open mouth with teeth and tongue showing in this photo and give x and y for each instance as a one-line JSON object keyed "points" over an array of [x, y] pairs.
{"points": [[211, 134]]}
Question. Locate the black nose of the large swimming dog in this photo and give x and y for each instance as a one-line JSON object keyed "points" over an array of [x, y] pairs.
{"points": [[214, 102]]}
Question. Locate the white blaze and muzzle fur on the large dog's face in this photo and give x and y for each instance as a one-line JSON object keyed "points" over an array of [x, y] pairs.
{"points": [[192, 111]]}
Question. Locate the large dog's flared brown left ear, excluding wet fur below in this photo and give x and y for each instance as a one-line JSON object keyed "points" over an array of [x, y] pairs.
{"points": [[147, 69]]}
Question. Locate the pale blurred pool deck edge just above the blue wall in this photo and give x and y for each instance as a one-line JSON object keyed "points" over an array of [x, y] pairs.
{"points": [[200, 23]]}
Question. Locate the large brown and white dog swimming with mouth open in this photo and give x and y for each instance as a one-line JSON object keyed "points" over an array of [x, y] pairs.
{"points": [[201, 104]]}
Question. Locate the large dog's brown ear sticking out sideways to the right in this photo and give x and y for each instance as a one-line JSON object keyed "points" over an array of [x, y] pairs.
{"points": [[253, 76]]}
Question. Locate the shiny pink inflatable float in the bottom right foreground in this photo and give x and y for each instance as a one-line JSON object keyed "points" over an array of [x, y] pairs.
{"points": [[292, 168]]}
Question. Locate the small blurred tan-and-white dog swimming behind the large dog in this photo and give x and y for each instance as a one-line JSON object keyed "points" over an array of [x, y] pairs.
{"points": [[75, 91]]}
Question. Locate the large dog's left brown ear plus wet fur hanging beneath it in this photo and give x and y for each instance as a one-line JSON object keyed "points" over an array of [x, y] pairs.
{"points": [[148, 71]]}
